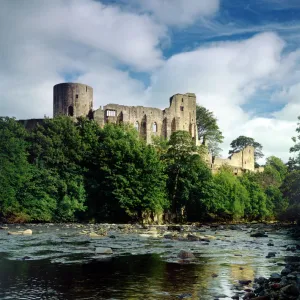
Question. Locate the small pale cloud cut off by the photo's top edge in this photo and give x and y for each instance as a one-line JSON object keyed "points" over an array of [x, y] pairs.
{"points": [[178, 12]]}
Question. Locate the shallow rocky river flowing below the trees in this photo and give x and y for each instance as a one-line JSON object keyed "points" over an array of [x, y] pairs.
{"points": [[61, 261]]}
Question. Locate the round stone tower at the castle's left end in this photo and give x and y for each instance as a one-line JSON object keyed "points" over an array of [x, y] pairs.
{"points": [[72, 99]]}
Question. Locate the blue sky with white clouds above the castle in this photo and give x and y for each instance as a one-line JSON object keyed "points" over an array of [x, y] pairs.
{"points": [[241, 58]]}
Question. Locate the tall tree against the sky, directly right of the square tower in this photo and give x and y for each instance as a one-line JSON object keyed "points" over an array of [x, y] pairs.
{"points": [[208, 129]]}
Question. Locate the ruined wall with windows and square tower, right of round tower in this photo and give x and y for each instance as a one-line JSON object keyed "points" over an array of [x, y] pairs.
{"points": [[180, 115]]}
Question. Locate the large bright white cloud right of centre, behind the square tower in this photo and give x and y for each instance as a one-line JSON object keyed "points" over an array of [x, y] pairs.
{"points": [[224, 76]]}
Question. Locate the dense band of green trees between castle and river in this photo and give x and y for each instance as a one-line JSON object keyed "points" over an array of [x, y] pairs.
{"points": [[76, 171]]}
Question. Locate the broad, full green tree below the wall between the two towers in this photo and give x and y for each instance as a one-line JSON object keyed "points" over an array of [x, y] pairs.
{"points": [[127, 177]]}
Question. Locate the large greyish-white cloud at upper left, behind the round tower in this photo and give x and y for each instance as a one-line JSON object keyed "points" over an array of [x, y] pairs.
{"points": [[43, 42]]}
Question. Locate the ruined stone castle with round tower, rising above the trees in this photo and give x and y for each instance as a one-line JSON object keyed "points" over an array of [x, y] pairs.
{"points": [[76, 99]]}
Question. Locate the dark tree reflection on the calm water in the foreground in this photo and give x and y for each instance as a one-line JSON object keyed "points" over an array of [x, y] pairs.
{"points": [[127, 277]]}
